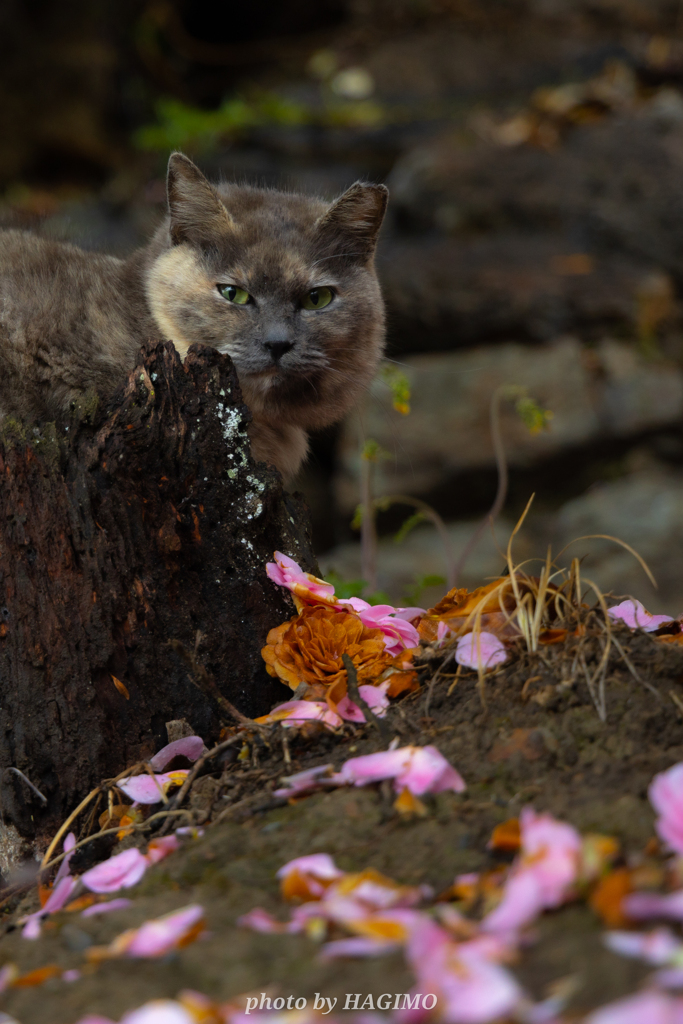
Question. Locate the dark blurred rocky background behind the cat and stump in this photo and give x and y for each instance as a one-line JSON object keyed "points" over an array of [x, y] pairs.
{"points": [[534, 150]]}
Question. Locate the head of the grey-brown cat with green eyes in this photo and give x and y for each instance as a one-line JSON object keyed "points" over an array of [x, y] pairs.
{"points": [[284, 284]]}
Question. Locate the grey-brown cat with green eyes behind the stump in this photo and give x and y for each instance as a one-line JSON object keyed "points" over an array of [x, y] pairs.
{"points": [[285, 284]]}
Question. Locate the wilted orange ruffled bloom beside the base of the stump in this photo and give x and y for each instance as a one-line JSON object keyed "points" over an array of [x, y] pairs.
{"points": [[309, 650]]}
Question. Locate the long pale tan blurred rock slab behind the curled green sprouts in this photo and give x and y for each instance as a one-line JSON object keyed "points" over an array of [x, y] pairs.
{"points": [[608, 392]]}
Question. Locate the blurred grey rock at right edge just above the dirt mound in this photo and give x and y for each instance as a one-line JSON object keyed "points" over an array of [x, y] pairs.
{"points": [[646, 510]]}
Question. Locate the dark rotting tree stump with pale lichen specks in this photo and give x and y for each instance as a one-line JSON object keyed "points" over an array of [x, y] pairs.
{"points": [[124, 543]]}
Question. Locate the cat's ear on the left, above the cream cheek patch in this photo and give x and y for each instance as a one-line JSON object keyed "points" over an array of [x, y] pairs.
{"points": [[197, 212]]}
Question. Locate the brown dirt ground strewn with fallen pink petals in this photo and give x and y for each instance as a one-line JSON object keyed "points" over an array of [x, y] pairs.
{"points": [[547, 749]]}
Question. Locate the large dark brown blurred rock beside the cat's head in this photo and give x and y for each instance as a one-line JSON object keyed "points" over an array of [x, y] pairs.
{"points": [[528, 242]]}
